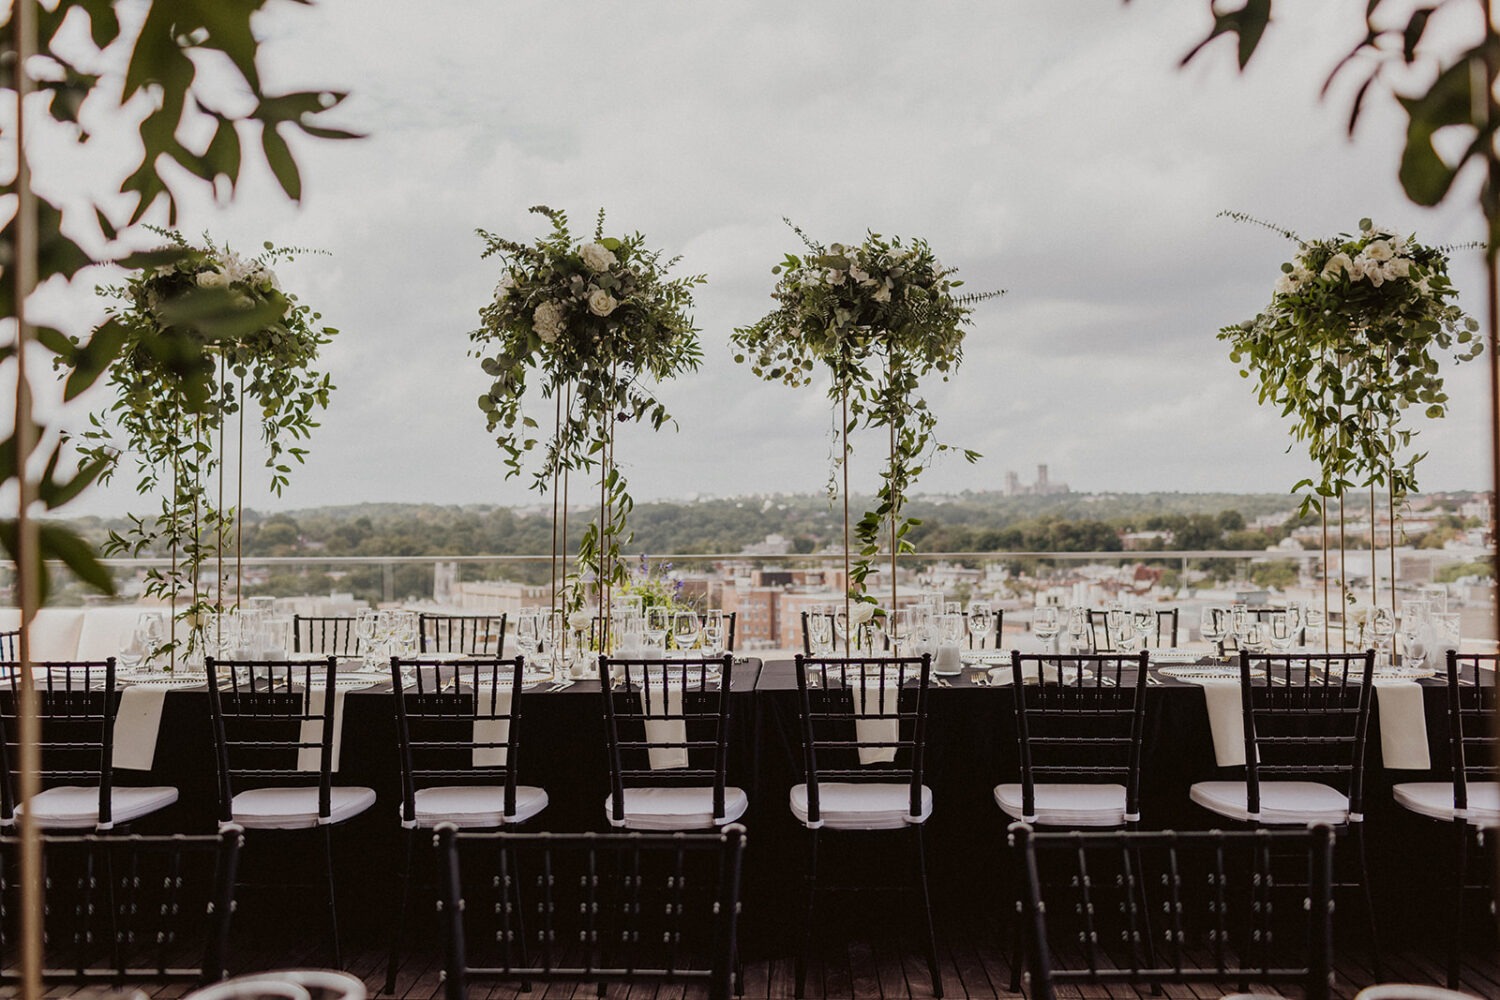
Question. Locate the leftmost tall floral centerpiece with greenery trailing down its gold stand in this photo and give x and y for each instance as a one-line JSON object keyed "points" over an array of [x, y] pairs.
{"points": [[259, 349]]}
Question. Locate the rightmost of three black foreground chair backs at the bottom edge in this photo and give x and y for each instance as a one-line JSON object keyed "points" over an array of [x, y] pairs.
{"points": [[1088, 897]]}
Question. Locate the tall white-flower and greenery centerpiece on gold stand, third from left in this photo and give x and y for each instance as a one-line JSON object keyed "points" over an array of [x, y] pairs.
{"points": [[880, 317]]}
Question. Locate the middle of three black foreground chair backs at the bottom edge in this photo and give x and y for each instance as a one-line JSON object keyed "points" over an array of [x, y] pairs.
{"points": [[599, 908]]}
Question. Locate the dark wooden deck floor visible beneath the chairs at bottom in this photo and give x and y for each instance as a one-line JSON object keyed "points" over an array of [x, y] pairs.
{"points": [[973, 966]]}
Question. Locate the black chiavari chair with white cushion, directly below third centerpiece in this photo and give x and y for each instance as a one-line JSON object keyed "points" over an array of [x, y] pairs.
{"points": [[865, 743]]}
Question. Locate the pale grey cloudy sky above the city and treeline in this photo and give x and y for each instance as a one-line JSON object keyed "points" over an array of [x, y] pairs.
{"points": [[1048, 148]]}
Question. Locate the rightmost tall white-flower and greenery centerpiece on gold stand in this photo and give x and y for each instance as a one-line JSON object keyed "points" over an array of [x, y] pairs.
{"points": [[1354, 340]]}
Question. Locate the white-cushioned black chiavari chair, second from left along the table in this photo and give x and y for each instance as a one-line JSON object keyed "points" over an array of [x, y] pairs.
{"points": [[277, 738]]}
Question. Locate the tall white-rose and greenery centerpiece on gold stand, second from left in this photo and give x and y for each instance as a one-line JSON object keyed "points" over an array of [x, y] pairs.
{"points": [[589, 326]]}
